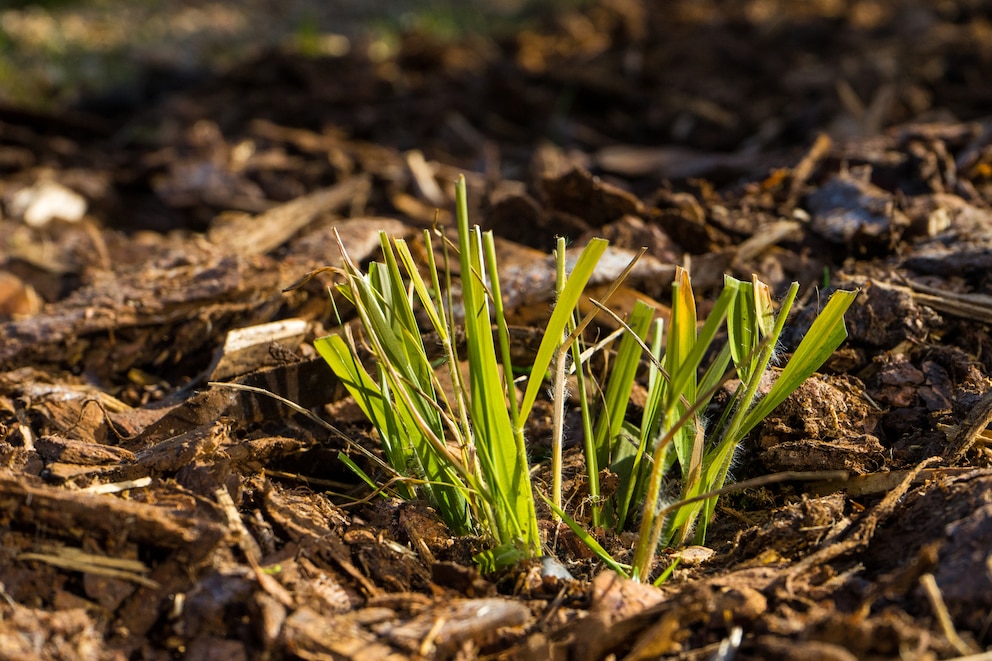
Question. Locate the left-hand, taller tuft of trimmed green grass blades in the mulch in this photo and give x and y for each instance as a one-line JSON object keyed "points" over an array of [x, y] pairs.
{"points": [[466, 453]]}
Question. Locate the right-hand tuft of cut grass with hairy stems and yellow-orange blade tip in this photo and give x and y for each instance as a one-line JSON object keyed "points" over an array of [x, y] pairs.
{"points": [[672, 428]]}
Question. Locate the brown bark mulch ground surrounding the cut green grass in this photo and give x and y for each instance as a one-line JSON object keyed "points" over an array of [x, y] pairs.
{"points": [[147, 514]]}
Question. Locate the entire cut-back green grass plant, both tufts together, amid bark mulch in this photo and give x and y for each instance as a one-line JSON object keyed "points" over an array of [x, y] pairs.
{"points": [[465, 451]]}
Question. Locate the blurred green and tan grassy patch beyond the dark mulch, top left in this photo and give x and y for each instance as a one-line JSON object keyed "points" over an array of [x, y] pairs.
{"points": [[55, 53]]}
